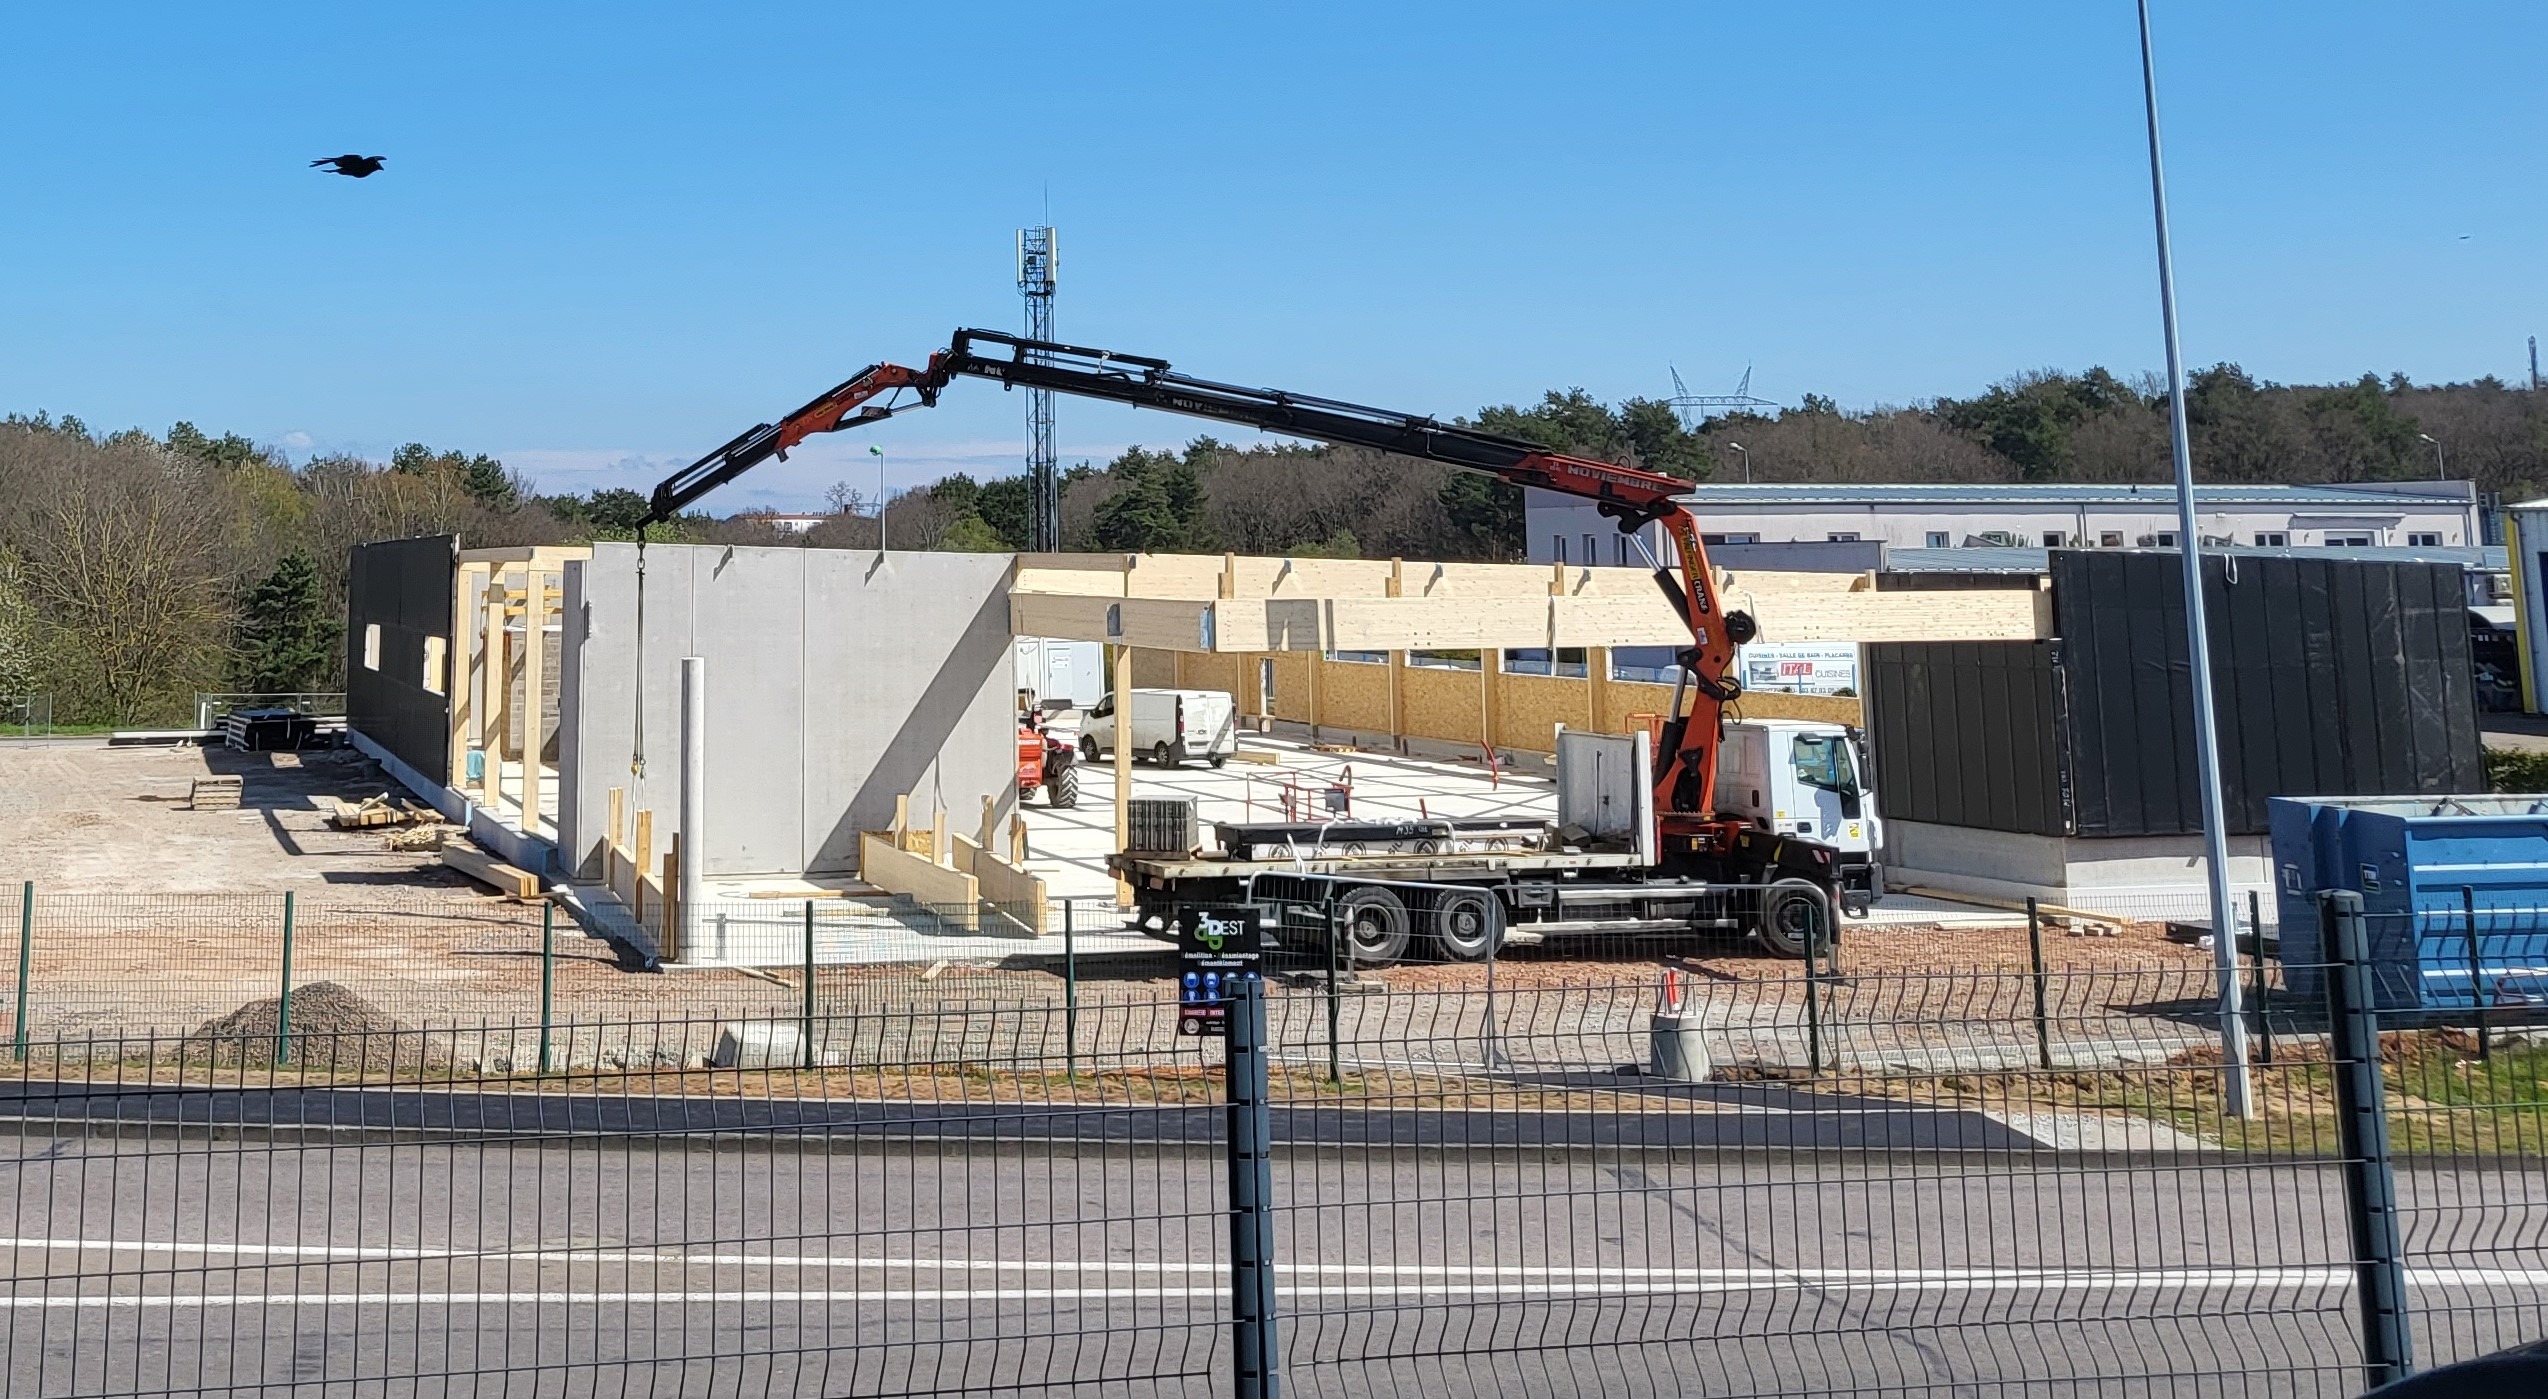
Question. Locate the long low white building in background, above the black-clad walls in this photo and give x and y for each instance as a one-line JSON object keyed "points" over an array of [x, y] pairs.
{"points": [[2001, 516]]}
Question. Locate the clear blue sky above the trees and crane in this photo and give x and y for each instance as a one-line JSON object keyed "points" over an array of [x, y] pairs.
{"points": [[615, 236]]}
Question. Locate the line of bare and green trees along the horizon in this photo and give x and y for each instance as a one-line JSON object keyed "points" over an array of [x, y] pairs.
{"points": [[139, 570]]}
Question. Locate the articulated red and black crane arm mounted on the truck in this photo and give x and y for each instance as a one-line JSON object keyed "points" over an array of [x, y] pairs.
{"points": [[1688, 758]]}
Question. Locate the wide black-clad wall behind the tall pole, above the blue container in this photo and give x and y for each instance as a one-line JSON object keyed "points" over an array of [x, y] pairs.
{"points": [[2330, 677]]}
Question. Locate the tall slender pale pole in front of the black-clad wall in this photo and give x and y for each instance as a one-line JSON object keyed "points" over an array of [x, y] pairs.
{"points": [[2208, 766]]}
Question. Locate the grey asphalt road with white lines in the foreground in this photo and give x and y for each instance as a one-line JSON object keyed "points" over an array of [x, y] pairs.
{"points": [[740, 1263]]}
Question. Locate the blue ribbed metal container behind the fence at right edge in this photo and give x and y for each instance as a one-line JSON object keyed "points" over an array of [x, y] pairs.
{"points": [[2422, 868]]}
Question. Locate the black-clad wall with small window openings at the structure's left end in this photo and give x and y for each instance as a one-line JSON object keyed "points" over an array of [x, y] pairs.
{"points": [[404, 587]]}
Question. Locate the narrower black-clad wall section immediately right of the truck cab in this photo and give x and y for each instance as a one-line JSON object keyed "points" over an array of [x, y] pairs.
{"points": [[1968, 735]]}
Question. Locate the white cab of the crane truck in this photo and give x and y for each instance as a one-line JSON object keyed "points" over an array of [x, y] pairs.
{"points": [[1805, 778]]}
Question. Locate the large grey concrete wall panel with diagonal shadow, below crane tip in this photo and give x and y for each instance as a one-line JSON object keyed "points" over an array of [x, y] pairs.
{"points": [[837, 684]]}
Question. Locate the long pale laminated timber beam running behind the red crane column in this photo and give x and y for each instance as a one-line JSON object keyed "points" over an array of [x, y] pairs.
{"points": [[1461, 623]]}
